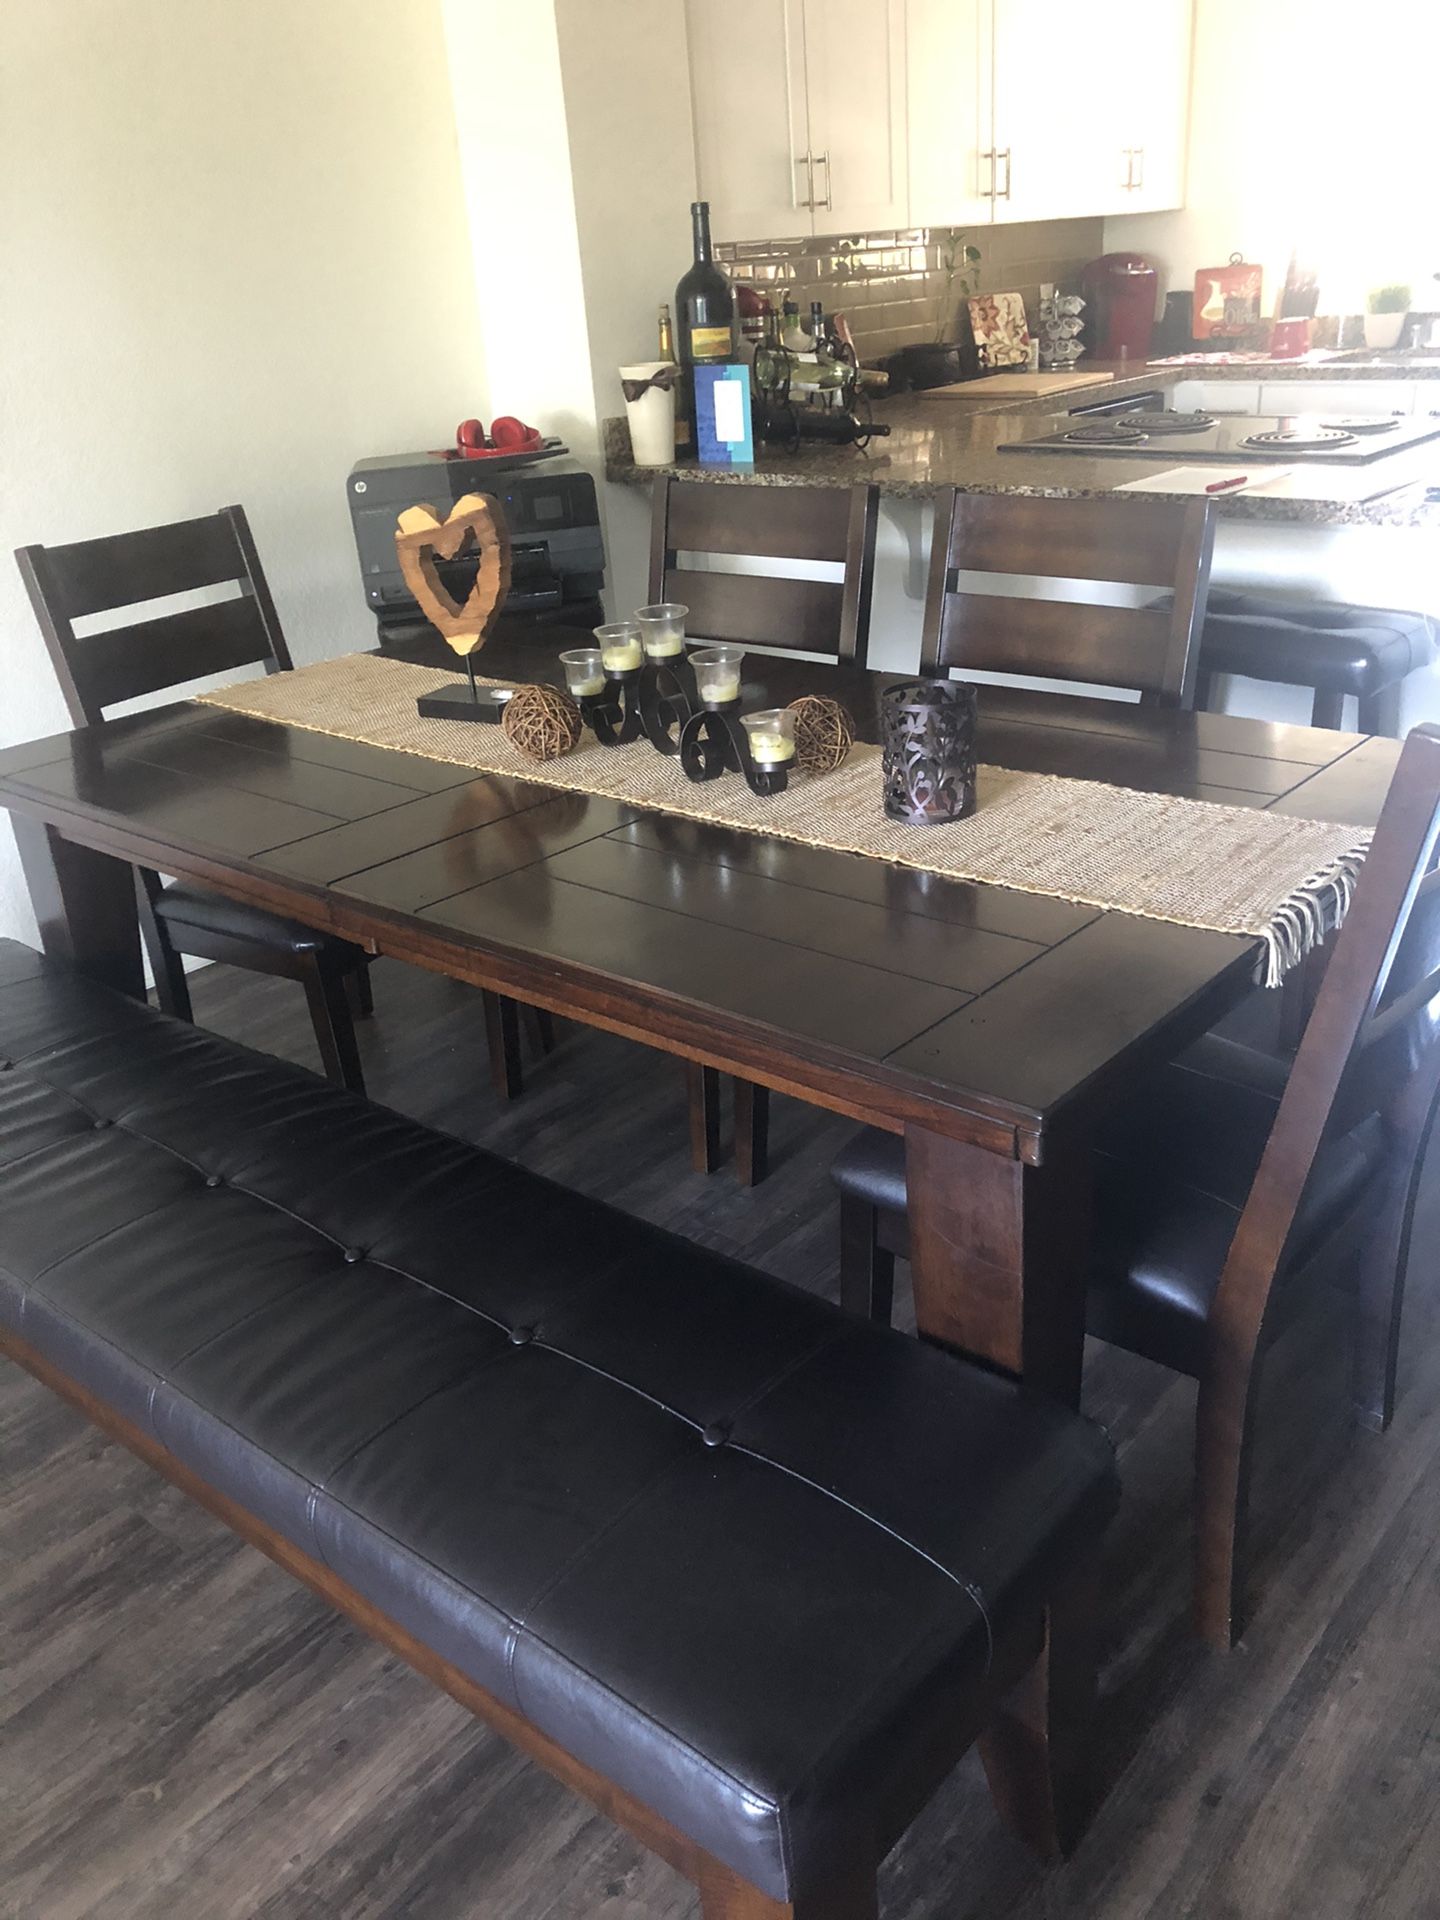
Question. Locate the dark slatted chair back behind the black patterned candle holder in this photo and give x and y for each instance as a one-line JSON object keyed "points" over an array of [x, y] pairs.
{"points": [[1128, 544]]}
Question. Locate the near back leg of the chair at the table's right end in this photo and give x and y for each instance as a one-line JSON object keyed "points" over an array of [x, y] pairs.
{"points": [[1222, 1500]]}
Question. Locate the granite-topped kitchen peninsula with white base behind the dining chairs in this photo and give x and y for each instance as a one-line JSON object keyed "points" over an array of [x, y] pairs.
{"points": [[1356, 535]]}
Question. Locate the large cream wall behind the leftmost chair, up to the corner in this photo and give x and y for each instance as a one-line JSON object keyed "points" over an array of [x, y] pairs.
{"points": [[235, 262]]}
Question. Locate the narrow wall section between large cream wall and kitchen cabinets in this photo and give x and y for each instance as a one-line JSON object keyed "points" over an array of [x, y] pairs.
{"points": [[579, 178]]}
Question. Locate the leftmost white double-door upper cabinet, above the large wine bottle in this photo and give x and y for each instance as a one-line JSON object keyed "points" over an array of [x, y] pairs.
{"points": [[800, 116]]}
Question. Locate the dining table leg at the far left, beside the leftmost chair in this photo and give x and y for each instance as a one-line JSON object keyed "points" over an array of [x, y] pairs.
{"points": [[85, 905]]}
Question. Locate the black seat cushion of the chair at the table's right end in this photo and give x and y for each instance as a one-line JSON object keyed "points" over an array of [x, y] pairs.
{"points": [[1172, 1178]]}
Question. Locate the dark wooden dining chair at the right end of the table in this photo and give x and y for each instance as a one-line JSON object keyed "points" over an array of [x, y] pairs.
{"points": [[1232, 1186]]}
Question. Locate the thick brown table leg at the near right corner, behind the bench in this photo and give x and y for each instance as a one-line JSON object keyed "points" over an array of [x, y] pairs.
{"points": [[999, 1255]]}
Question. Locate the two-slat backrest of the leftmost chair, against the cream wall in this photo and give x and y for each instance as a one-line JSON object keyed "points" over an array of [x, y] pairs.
{"points": [[122, 663]]}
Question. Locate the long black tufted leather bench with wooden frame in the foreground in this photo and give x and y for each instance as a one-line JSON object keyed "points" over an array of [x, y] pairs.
{"points": [[742, 1568]]}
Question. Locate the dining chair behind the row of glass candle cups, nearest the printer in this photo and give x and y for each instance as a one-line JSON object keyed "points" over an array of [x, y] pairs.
{"points": [[777, 613]]}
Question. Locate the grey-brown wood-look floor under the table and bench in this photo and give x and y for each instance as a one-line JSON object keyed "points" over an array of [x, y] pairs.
{"points": [[185, 1733]]}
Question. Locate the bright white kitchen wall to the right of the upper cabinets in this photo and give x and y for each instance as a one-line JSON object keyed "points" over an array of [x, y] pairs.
{"points": [[1312, 126]]}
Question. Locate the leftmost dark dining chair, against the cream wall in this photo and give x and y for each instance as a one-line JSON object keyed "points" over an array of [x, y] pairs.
{"points": [[145, 656]]}
